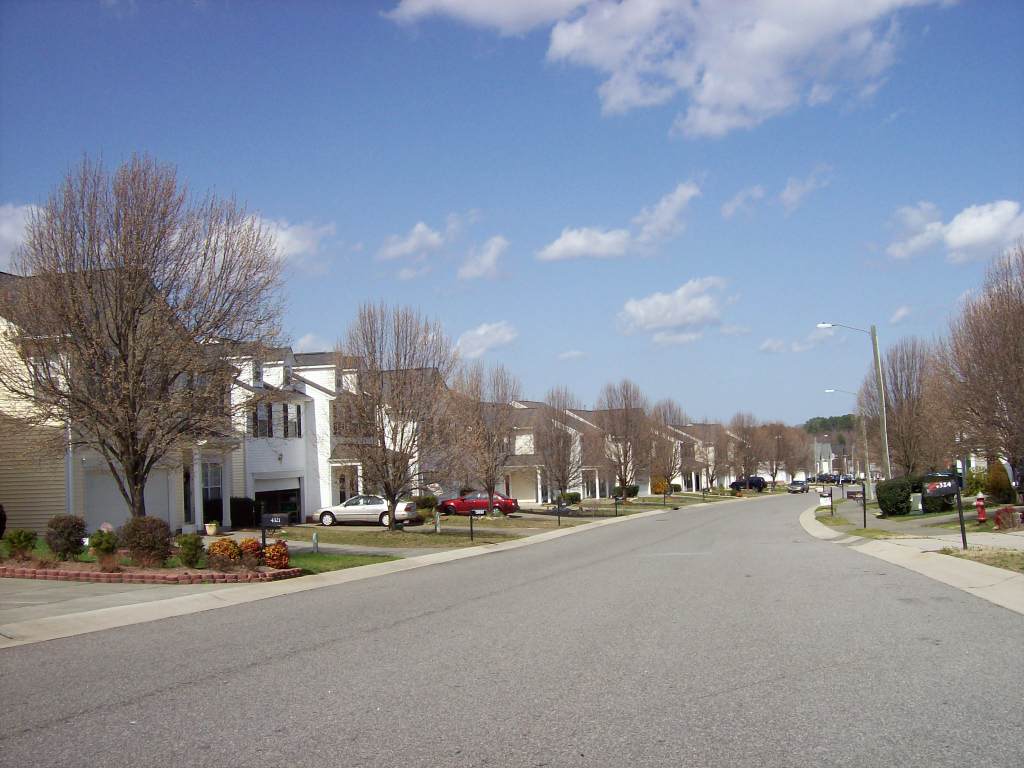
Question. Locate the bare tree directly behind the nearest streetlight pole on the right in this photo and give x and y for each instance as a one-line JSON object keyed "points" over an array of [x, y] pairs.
{"points": [[920, 433]]}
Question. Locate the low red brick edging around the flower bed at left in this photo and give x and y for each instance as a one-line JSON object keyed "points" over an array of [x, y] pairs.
{"points": [[79, 572]]}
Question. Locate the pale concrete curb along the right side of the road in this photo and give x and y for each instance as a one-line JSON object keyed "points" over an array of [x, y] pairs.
{"points": [[998, 586]]}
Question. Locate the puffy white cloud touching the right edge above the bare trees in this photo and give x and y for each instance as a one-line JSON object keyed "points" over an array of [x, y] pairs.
{"points": [[977, 232]]}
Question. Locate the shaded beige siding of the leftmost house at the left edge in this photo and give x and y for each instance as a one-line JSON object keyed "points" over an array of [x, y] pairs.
{"points": [[32, 483]]}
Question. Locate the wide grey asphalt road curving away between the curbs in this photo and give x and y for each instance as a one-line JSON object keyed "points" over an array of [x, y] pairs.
{"points": [[718, 636]]}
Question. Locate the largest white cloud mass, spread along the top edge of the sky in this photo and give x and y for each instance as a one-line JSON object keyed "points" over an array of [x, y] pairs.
{"points": [[737, 64]]}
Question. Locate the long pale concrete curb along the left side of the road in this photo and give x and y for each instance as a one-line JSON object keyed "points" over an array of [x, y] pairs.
{"points": [[24, 633]]}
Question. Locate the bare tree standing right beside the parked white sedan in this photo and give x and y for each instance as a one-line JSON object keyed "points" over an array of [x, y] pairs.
{"points": [[397, 420]]}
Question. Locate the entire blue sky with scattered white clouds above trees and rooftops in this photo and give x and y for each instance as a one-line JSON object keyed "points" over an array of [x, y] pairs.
{"points": [[579, 190]]}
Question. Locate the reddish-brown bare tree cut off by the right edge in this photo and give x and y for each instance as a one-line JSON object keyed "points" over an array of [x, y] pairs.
{"points": [[986, 361]]}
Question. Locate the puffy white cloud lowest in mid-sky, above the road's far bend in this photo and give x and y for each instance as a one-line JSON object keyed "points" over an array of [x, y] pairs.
{"points": [[692, 307]]}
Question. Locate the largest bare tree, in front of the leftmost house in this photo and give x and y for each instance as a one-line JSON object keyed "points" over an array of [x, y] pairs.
{"points": [[130, 295]]}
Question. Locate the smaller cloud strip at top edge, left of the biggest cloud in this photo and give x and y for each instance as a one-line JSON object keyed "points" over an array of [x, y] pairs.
{"points": [[509, 17]]}
